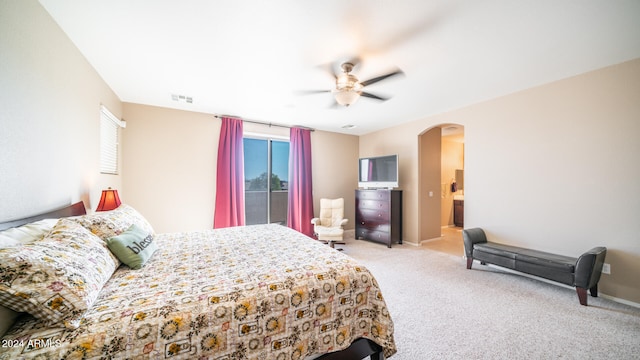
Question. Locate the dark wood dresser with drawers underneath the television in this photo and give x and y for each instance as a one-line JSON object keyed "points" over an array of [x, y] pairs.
{"points": [[379, 215]]}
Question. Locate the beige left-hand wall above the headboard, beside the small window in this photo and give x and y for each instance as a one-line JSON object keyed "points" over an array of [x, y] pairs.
{"points": [[50, 101]]}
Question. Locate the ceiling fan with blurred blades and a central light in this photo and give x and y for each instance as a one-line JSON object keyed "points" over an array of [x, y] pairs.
{"points": [[348, 88]]}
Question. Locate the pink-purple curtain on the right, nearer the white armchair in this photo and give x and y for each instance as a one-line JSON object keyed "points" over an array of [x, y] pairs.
{"points": [[300, 210]]}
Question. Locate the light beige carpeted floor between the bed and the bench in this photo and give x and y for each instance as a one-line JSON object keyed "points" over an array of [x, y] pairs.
{"points": [[441, 310]]}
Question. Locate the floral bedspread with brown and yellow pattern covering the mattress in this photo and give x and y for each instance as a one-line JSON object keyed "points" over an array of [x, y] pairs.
{"points": [[255, 292]]}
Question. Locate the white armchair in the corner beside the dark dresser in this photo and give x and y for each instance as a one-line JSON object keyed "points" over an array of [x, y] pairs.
{"points": [[328, 227]]}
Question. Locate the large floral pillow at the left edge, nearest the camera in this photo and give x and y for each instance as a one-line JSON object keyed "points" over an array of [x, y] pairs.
{"points": [[56, 279]]}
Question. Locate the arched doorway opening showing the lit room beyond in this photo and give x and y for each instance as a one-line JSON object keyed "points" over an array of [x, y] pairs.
{"points": [[441, 158]]}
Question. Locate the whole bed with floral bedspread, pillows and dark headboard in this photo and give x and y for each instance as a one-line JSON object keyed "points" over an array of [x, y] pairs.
{"points": [[254, 292]]}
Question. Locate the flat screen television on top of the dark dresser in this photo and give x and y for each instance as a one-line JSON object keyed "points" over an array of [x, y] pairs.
{"points": [[378, 172]]}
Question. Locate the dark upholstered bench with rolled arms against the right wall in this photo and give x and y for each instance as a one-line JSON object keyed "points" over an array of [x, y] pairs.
{"points": [[582, 272]]}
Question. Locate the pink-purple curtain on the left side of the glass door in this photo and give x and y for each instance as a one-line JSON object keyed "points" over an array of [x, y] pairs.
{"points": [[229, 209]]}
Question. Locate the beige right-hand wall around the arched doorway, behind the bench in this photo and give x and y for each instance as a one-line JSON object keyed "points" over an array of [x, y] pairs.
{"points": [[553, 168]]}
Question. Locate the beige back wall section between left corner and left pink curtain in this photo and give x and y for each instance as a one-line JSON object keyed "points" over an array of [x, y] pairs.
{"points": [[170, 166]]}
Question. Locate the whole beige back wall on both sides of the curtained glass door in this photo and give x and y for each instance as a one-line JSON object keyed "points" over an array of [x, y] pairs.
{"points": [[170, 165]]}
